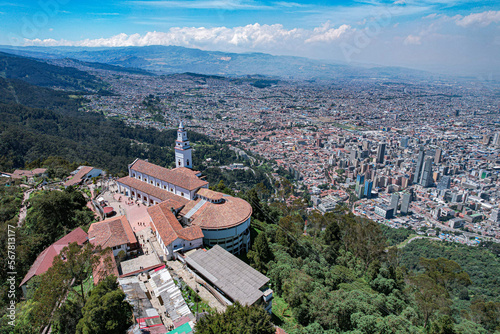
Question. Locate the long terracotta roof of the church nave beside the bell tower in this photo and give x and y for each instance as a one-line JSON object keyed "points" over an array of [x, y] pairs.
{"points": [[182, 176]]}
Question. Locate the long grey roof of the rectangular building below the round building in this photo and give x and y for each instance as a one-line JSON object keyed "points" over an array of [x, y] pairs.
{"points": [[233, 277]]}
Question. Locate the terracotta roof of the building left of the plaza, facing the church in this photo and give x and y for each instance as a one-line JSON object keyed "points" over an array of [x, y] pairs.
{"points": [[112, 232]]}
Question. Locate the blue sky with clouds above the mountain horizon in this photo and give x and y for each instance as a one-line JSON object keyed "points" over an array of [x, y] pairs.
{"points": [[454, 36]]}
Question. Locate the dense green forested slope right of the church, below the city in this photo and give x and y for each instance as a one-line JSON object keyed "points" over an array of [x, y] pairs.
{"points": [[343, 278]]}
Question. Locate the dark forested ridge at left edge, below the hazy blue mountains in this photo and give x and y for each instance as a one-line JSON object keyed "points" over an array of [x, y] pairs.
{"points": [[46, 75]]}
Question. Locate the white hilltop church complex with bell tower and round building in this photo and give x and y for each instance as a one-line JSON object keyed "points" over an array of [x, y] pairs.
{"points": [[184, 213]]}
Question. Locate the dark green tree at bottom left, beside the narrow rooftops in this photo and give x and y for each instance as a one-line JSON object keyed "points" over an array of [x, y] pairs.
{"points": [[106, 310]]}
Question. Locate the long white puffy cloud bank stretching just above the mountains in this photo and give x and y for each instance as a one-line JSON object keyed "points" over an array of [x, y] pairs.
{"points": [[250, 37]]}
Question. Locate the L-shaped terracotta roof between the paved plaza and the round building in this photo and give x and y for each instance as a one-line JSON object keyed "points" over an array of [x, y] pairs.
{"points": [[167, 225]]}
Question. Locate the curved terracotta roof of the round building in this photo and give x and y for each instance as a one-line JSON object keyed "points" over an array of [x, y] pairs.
{"points": [[231, 212]]}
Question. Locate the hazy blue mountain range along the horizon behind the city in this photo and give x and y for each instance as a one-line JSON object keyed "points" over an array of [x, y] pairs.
{"points": [[176, 59]]}
